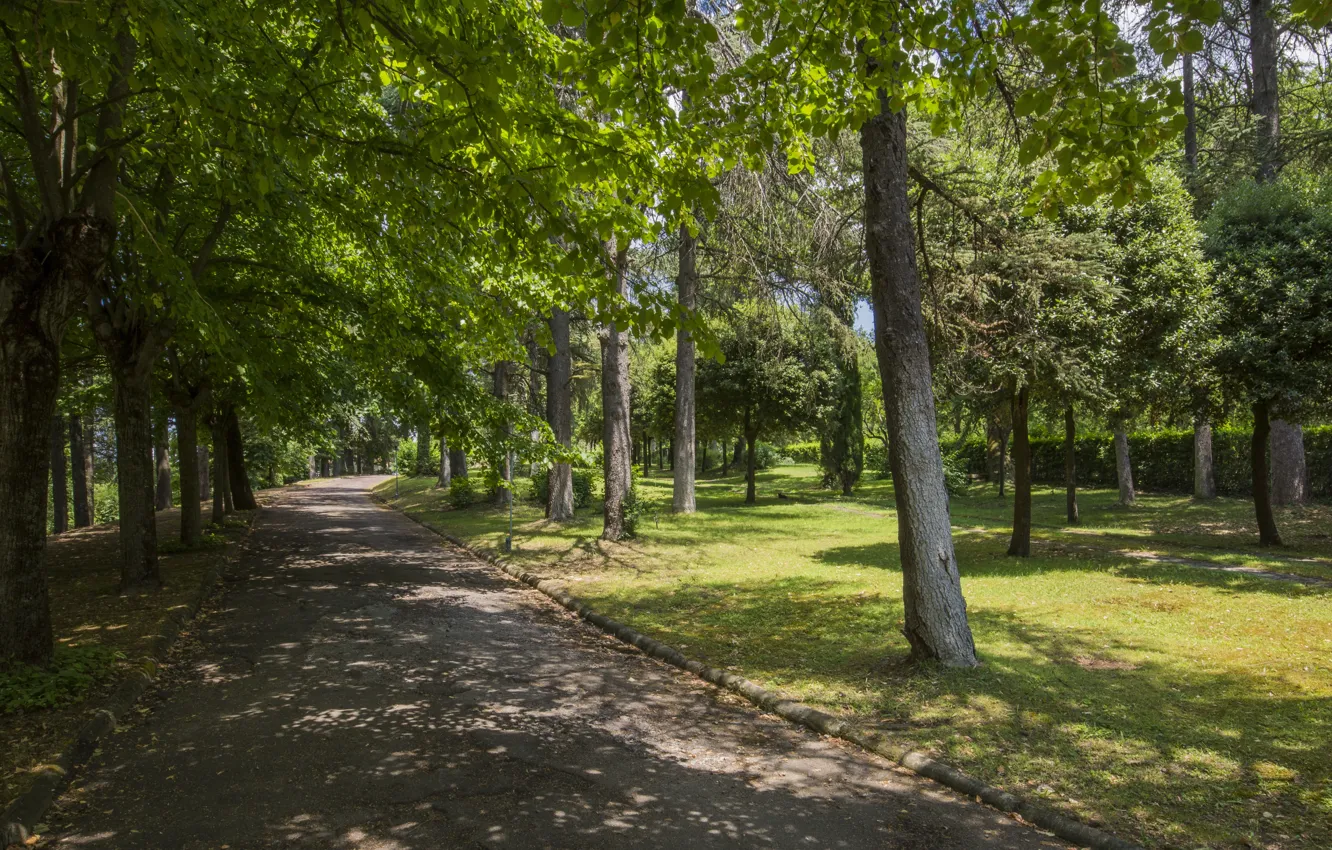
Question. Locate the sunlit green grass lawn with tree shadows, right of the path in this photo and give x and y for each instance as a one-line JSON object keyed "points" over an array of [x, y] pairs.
{"points": [[1175, 705]]}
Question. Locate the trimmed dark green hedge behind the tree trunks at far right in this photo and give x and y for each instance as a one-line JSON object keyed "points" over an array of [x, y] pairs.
{"points": [[1162, 460]]}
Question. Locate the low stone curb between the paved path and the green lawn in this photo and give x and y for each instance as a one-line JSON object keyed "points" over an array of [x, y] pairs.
{"points": [[917, 763]]}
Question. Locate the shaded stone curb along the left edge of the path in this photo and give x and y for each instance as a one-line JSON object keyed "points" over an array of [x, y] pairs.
{"points": [[23, 815]]}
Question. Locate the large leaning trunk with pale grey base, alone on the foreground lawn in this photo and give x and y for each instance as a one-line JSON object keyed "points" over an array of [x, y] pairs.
{"points": [[936, 612]]}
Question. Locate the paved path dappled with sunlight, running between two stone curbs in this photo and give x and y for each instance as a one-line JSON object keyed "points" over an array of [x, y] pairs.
{"points": [[364, 687]]}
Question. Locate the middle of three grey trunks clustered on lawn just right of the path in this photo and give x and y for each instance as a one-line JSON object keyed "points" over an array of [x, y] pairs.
{"points": [[617, 443]]}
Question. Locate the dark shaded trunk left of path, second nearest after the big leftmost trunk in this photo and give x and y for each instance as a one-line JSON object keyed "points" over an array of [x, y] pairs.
{"points": [[137, 484]]}
